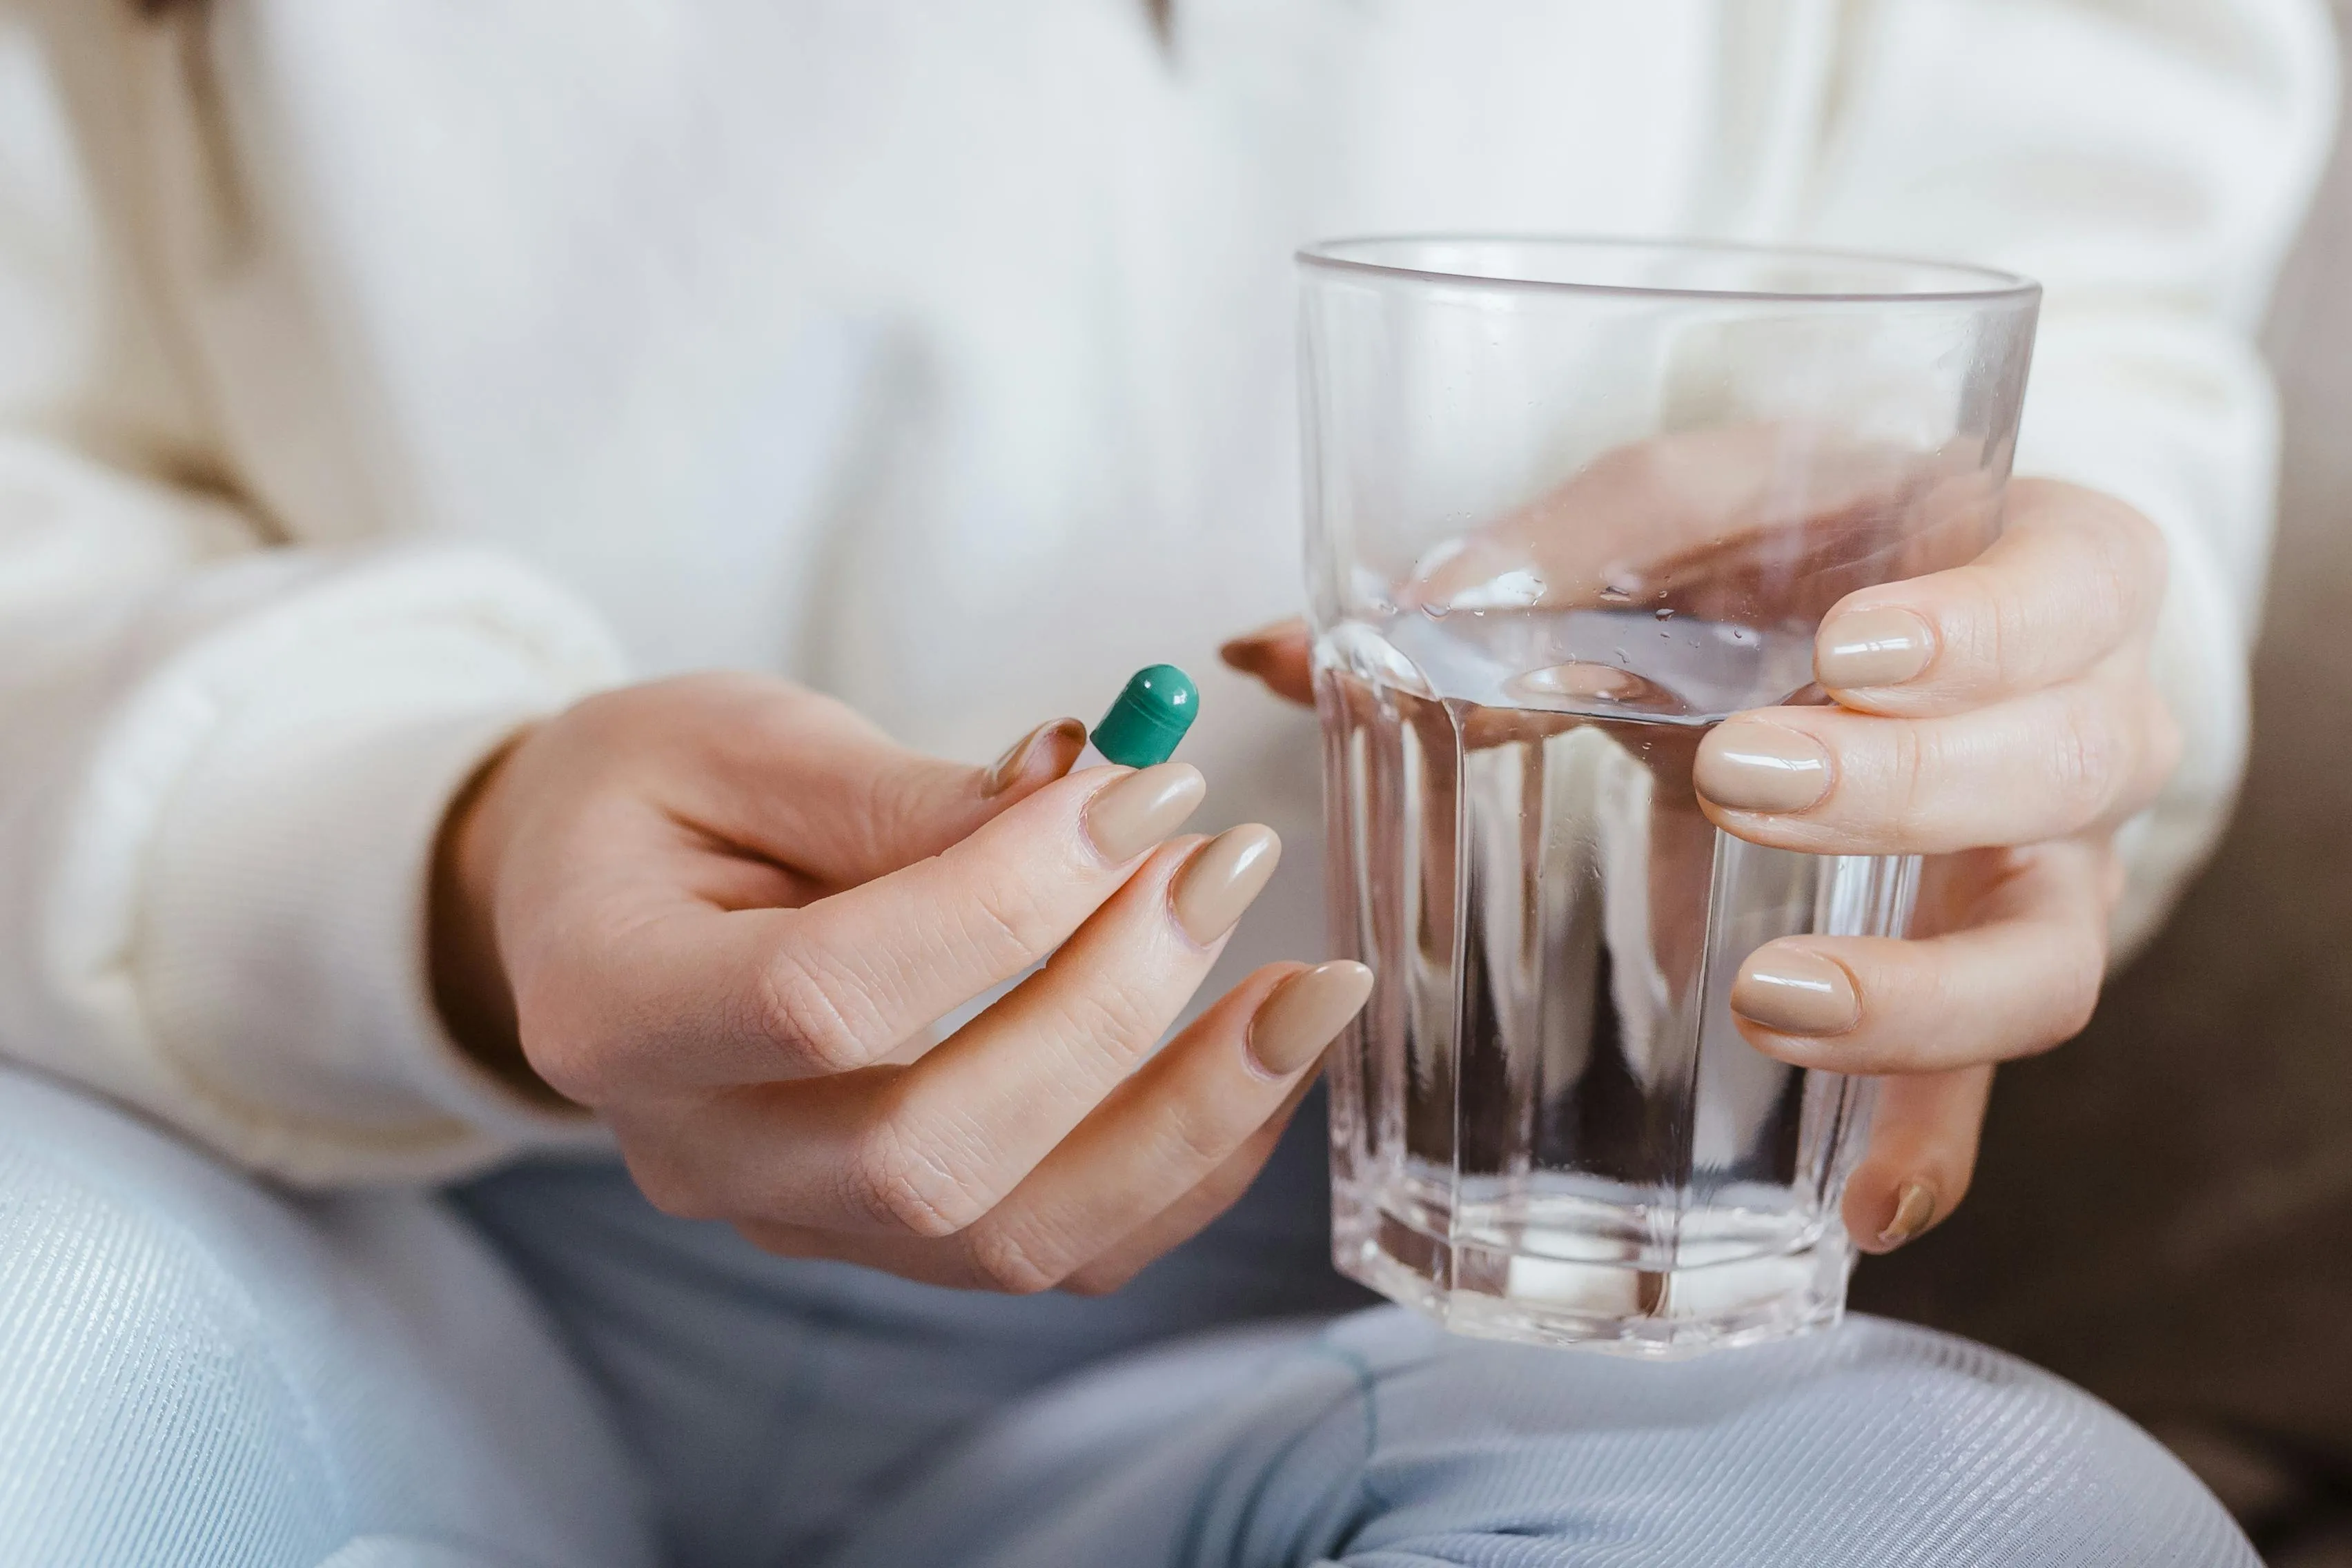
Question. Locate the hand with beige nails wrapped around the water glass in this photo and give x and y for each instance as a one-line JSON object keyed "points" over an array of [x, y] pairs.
{"points": [[1998, 718]]}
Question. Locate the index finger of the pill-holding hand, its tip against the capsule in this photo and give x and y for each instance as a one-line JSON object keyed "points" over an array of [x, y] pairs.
{"points": [[686, 998]]}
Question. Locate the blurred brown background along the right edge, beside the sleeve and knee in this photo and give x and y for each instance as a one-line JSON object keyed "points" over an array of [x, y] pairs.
{"points": [[2165, 1207]]}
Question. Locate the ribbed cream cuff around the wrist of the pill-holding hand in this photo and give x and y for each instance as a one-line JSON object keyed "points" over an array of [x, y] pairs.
{"points": [[281, 920]]}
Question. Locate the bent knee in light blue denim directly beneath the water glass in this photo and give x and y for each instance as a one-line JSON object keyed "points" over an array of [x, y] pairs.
{"points": [[1869, 1445]]}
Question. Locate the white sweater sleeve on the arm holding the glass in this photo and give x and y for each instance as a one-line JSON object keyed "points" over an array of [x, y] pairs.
{"points": [[2149, 163]]}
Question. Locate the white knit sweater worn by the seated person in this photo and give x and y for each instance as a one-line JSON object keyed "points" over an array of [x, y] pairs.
{"points": [[380, 375]]}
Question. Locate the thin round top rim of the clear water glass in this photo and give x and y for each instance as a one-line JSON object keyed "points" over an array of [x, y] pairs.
{"points": [[1993, 283]]}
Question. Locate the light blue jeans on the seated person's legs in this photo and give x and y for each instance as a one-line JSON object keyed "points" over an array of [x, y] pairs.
{"points": [[540, 1369]]}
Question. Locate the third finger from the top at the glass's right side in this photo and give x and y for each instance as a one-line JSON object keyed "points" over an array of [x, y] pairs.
{"points": [[2019, 977]]}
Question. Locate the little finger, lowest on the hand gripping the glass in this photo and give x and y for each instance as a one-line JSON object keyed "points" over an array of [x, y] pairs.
{"points": [[1923, 1153]]}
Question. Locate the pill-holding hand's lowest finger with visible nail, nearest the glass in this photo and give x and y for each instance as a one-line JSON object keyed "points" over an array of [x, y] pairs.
{"points": [[1158, 1160]]}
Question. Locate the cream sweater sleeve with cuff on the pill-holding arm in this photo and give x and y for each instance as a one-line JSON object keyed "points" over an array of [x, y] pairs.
{"points": [[225, 758]]}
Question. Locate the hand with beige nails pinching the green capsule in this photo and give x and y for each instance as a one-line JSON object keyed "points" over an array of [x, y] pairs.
{"points": [[723, 913]]}
